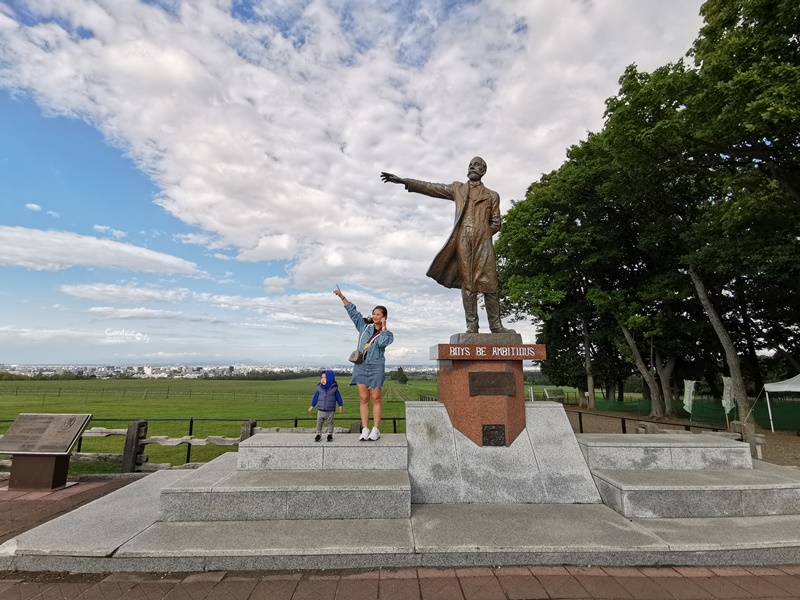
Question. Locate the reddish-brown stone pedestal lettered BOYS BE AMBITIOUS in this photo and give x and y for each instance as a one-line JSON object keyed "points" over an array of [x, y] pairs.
{"points": [[482, 387]]}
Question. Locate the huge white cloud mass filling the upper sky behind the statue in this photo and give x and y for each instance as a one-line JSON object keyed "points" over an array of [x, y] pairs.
{"points": [[271, 141]]}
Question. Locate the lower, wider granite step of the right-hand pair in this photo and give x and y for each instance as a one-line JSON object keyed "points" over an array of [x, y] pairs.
{"points": [[681, 493]]}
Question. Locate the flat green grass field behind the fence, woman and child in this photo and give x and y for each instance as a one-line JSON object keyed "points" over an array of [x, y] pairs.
{"points": [[217, 407]]}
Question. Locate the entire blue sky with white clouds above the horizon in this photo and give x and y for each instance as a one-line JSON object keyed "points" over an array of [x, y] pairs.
{"points": [[187, 182]]}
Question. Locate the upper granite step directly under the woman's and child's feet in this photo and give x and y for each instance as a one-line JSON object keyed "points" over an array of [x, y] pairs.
{"points": [[295, 451]]}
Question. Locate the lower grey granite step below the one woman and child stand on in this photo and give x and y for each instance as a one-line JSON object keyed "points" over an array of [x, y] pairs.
{"points": [[218, 492]]}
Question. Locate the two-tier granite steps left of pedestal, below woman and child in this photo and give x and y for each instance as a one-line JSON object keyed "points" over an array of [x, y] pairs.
{"points": [[285, 476]]}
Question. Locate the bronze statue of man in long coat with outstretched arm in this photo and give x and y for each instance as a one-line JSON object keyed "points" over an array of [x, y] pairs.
{"points": [[467, 260]]}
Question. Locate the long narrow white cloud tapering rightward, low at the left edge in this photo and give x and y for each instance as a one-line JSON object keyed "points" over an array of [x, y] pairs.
{"points": [[55, 250]]}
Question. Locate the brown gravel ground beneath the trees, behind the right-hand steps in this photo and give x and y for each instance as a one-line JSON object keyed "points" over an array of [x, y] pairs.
{"points": [[782, 447]]}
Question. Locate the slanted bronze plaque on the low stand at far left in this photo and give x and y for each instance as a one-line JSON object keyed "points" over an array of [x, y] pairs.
{"points": [[43, 434]]}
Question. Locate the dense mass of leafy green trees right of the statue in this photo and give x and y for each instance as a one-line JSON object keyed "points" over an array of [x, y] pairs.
{"points": [[684, 204]]}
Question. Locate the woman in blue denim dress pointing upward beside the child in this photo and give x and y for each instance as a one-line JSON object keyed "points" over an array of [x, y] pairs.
{"points": [[373, 337]]}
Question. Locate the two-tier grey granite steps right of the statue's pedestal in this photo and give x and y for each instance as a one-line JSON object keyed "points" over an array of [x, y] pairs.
{"points": [[687, 475]]}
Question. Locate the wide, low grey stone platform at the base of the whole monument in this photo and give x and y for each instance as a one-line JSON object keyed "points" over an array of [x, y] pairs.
{"points": [[94, 538]]}
